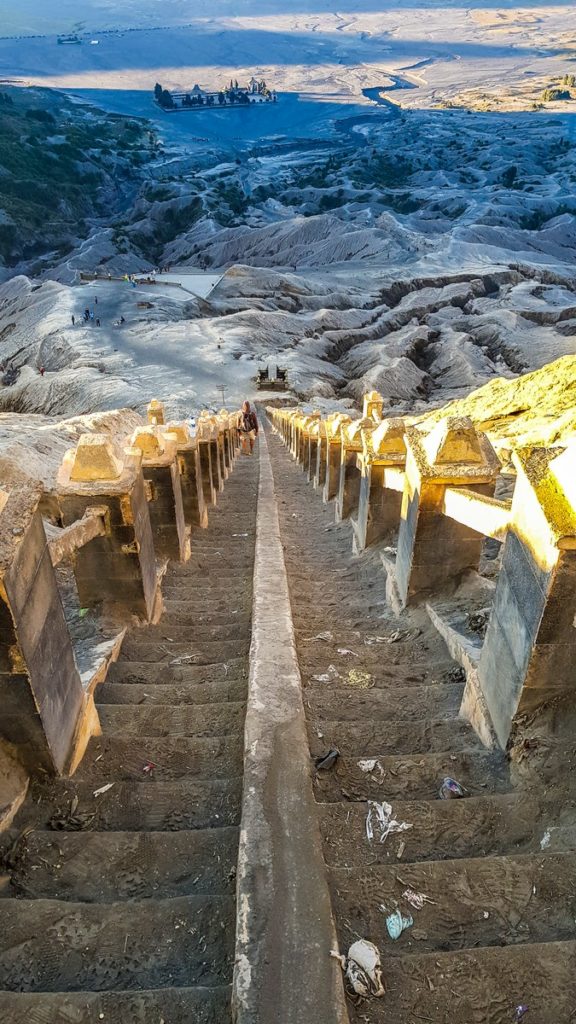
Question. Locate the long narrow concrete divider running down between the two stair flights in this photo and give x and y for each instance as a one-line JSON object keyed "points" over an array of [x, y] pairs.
{"points": [[285, 928]]}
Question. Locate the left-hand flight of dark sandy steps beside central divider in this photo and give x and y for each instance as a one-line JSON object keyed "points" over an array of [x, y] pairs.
{"points": [[119, 890]]}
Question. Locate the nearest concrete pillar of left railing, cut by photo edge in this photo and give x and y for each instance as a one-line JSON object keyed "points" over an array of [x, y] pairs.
{"points": [[45, 712]]}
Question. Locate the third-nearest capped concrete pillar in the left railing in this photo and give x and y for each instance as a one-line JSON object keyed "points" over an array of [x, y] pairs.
{"points": [[162, 476]]}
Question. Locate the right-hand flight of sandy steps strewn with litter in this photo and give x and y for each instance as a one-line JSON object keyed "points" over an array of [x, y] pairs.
{"points": [[498, 929]]}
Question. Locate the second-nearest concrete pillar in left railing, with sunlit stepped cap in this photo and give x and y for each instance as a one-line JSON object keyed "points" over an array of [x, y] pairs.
{"points": [[119, 569]]}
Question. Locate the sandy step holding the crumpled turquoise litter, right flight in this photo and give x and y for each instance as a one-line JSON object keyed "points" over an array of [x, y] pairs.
{"points": [[487, 902]]}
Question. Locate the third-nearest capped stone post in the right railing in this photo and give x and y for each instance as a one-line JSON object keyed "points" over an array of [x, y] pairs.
{"points": [[380, 507]]}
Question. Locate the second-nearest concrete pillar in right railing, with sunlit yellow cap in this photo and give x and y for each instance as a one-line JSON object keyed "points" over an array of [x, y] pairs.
{"points": [[434, 550]]}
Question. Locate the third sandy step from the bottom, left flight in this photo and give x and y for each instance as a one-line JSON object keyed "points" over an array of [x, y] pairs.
{"points": [[139, 866]]}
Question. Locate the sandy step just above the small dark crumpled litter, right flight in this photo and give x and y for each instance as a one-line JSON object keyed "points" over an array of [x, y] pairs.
{"points": [[376, 739]]}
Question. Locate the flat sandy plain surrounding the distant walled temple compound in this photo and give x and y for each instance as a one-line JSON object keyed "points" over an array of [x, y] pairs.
{"points": [[433, 53]]}
